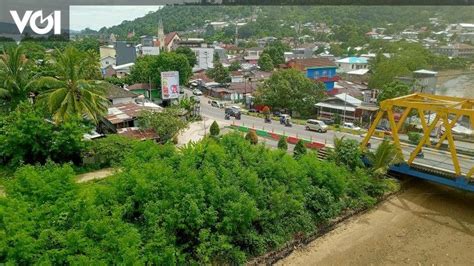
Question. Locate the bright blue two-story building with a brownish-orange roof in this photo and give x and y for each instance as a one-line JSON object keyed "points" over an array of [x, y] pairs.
{"points": [[317, 69]]}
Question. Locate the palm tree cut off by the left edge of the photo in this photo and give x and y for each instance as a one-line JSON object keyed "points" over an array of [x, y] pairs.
{"points": [[15, 81]]}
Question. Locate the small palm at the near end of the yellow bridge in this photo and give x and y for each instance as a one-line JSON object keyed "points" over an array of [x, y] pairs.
{"points": [[386, 155]]}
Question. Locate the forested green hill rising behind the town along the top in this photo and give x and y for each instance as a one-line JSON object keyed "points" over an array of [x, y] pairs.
{"points": [[277, 21]]}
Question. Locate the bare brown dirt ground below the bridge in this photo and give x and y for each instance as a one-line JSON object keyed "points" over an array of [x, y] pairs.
{"points": [[426, 224]]}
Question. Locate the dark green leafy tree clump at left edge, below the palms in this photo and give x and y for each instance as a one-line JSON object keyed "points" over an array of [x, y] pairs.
{"points": [[27, 137]]}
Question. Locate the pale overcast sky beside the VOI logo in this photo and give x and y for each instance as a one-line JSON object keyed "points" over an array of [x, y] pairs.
{"points": [[96, 17]]}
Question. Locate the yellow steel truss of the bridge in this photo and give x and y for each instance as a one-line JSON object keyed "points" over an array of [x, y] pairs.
{"points": [[448, 111]]}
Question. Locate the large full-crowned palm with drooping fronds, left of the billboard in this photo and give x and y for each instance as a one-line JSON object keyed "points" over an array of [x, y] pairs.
{"points": [[73, 93]]}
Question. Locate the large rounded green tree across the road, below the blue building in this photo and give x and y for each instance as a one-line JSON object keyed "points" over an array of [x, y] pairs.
{"points": [[290, 89]]}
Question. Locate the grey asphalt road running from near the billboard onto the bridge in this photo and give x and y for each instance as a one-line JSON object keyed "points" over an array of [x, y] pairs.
{"points": [[433, 158]]}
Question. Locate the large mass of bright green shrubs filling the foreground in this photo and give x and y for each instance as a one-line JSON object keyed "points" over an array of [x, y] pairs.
{"points": [[208, 203]]}
